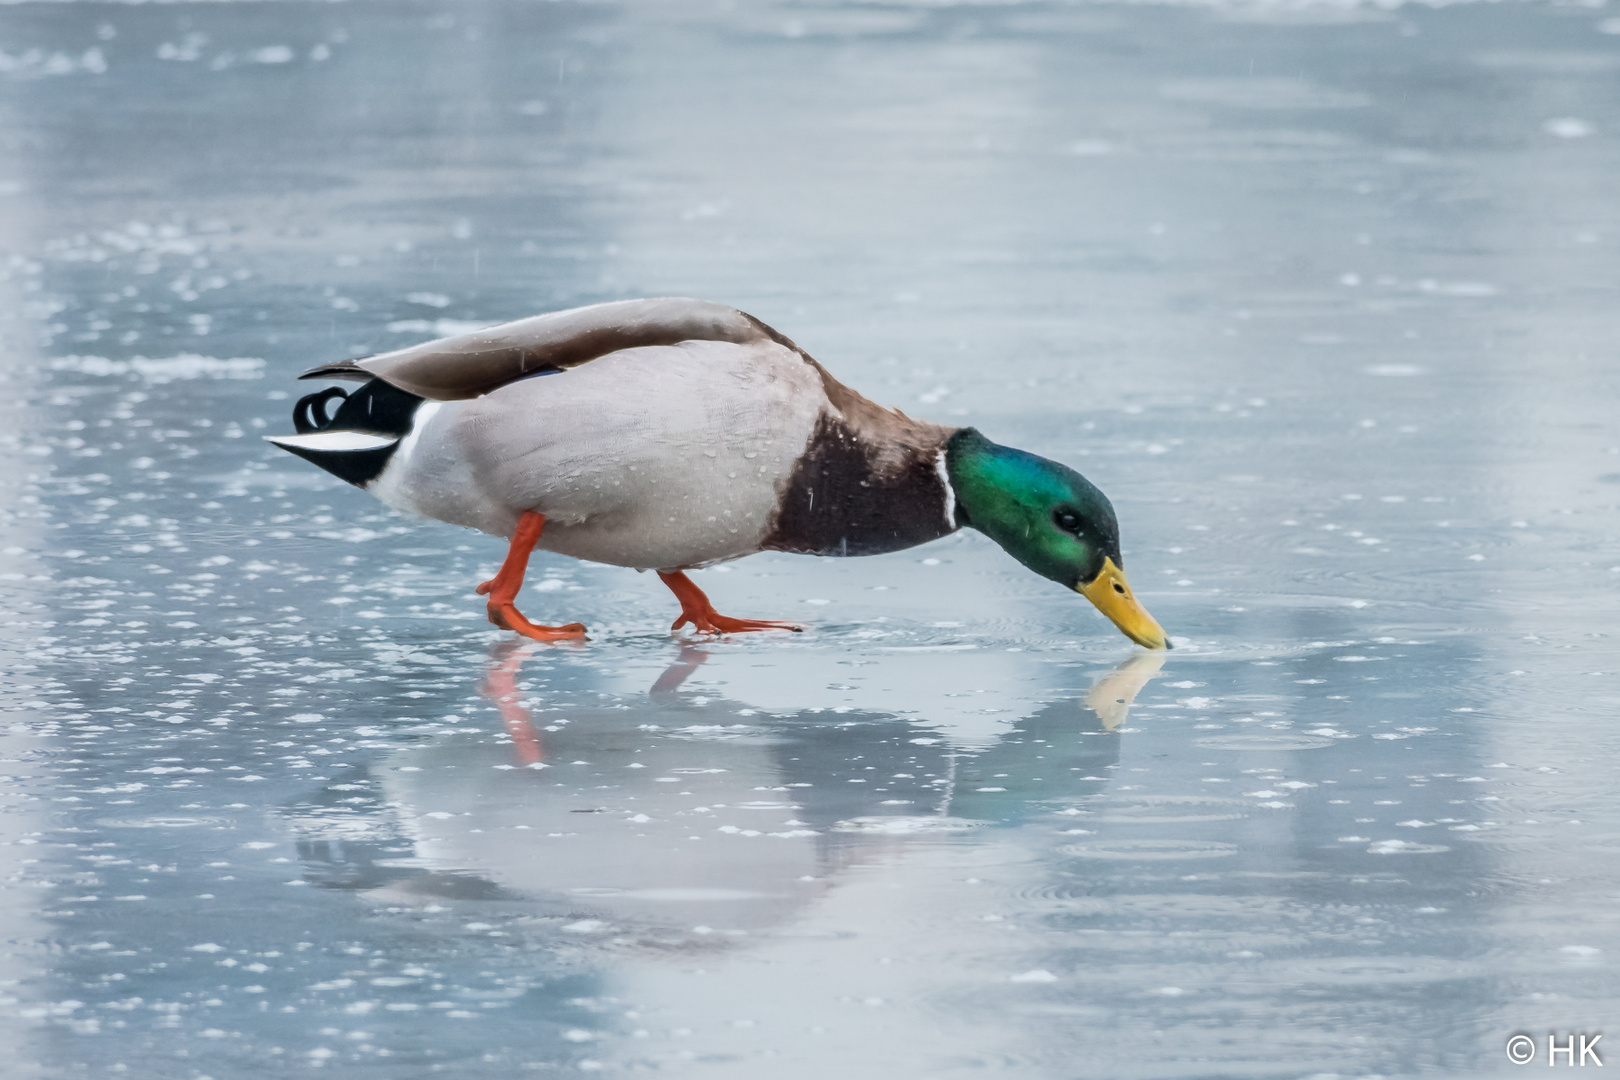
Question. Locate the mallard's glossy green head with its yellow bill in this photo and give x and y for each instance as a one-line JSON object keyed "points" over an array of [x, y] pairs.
{"points": [[1051, 519]]}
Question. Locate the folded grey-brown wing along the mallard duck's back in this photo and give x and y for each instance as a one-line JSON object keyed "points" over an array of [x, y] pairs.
{"points": [[472, 365]]}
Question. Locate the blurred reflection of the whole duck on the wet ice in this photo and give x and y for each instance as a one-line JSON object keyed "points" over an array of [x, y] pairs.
{"points": [[684, 810]]}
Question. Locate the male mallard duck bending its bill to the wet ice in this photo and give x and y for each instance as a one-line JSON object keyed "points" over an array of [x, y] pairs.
{"points": [[671, 435]]}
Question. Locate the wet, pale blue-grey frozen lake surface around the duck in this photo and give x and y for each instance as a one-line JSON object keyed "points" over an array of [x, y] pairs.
{"points": [[1321, 294]]}
